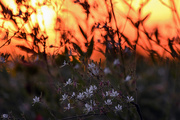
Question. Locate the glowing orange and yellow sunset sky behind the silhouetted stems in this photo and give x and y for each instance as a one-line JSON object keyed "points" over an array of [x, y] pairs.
{"points": [[160, 17]]}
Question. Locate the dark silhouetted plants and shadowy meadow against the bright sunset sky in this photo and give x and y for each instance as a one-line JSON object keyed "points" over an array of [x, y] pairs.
{"points": [[48, 73]]}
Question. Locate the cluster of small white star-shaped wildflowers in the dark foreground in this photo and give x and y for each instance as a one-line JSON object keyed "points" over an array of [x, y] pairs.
{"points": [[90, 97]]}
